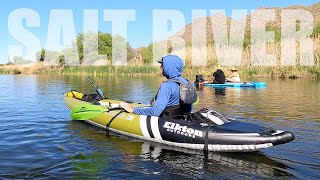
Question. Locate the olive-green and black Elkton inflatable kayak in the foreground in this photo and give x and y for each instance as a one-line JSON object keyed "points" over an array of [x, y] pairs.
{"points": [[203, 130]]}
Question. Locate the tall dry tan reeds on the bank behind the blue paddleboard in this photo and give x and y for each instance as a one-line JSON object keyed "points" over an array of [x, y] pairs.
{"points": [[246, 66]]}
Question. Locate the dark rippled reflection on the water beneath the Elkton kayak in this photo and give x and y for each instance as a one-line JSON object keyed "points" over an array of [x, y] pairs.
{"points": [[144, 158]]}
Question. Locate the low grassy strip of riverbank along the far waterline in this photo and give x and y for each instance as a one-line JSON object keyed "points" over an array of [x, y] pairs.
{"points": [[272, 72]]}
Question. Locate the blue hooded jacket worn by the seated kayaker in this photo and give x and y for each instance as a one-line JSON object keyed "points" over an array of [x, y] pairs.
{"points": [[168, 94]]}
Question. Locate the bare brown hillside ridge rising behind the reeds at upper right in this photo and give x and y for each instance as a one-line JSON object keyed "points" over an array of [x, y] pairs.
{"points": [[187, 33]]}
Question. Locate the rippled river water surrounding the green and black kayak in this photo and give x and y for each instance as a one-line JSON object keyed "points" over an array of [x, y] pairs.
{"points": [[39, 140]]}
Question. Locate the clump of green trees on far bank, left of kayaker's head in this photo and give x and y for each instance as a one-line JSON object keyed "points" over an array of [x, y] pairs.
{"points": [[70, 58]]}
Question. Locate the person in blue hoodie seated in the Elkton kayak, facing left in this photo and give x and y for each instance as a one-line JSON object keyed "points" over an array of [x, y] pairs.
{"points": [[167, 101]]}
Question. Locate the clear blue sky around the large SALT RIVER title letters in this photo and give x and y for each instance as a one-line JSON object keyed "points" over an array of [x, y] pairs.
{"points": [[139, 31]]}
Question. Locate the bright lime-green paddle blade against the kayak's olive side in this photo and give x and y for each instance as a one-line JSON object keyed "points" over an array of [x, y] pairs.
{"points": [[86, 111]]}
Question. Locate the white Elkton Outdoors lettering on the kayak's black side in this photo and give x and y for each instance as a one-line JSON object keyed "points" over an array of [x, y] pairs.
{"points": [[182, 130]]}
